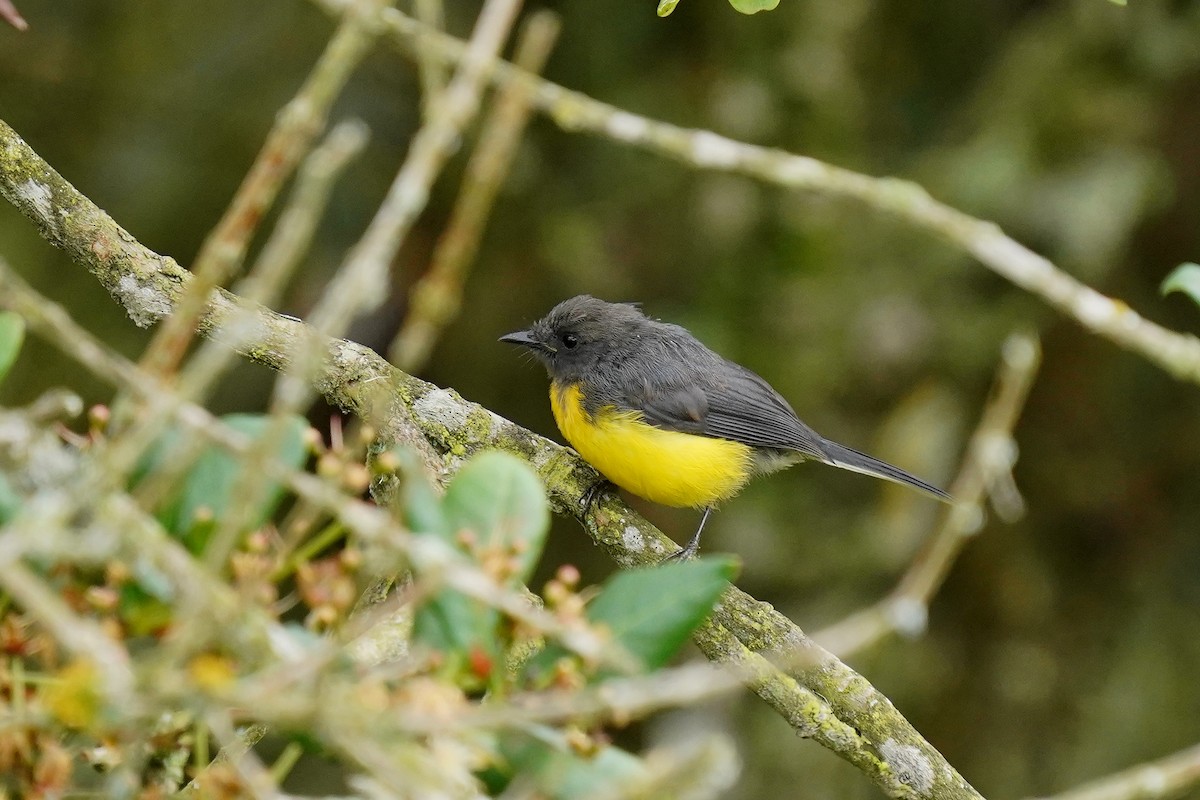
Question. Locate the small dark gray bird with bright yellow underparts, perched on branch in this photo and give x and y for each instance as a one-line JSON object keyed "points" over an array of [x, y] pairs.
{"points": [[665, 418]]}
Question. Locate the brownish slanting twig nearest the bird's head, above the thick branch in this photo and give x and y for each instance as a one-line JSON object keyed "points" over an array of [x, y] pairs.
{"points": [[437, 297]]}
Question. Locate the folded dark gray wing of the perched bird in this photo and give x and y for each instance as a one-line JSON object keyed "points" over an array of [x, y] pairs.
{"points": [[729, 402]]}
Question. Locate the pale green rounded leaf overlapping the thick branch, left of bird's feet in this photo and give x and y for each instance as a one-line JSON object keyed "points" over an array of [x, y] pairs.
{"points": [[502, 502]]}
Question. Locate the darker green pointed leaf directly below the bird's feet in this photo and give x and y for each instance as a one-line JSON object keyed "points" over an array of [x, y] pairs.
{"points": [[653, 612]]}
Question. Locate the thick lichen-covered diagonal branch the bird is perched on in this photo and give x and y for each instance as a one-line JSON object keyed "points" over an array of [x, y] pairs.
{"points": [[817, 694]]}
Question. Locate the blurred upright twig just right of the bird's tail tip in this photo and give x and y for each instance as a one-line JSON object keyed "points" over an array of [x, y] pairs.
{"points": [[988, 462]]}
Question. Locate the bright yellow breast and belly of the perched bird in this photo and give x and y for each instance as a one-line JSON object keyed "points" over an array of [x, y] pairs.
{"points": [[668, 467]]}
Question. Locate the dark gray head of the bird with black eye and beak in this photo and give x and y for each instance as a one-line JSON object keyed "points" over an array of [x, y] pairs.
{"points": [[580, 333]]}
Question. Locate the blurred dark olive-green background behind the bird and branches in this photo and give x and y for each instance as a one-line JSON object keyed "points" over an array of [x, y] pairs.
{"points": [[1064, 647]]}
